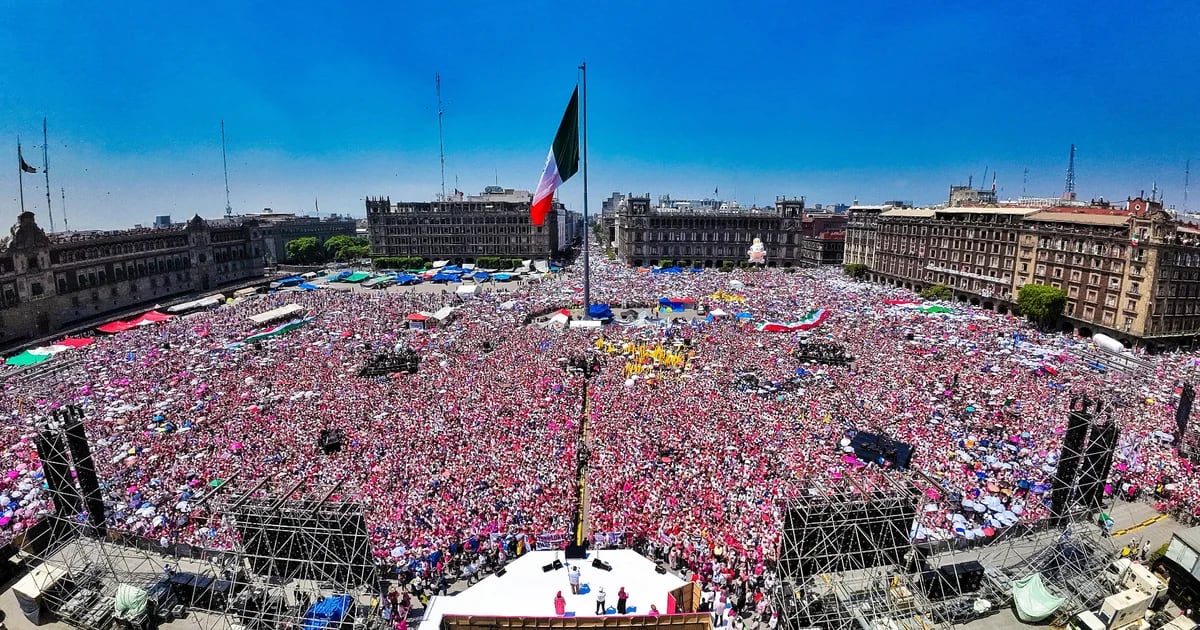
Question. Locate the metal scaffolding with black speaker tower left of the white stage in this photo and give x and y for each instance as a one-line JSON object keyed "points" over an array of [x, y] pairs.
{"points": [[299, 553]]}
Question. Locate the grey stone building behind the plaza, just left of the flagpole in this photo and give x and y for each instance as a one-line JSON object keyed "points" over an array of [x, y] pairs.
{"points": [[463, 229]]}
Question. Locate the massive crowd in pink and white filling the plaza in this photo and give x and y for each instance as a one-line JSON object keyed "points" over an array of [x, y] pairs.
{"points": [[478, 449]]}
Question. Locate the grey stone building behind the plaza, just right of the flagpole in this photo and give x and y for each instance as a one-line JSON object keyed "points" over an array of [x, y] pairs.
{"points": [[710, 233]]}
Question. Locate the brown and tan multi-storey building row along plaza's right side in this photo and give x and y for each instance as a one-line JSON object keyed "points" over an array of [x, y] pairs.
{"points": [[1132, 273]]}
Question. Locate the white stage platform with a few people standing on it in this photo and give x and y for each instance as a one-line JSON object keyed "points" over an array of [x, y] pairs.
{"points": [[526, 591]]}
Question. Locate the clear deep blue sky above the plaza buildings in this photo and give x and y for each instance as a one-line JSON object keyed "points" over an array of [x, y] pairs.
{"points": [[869, 101]]}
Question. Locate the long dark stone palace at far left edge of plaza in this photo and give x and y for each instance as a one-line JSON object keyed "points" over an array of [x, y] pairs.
{"points": [[58, 281]]}
